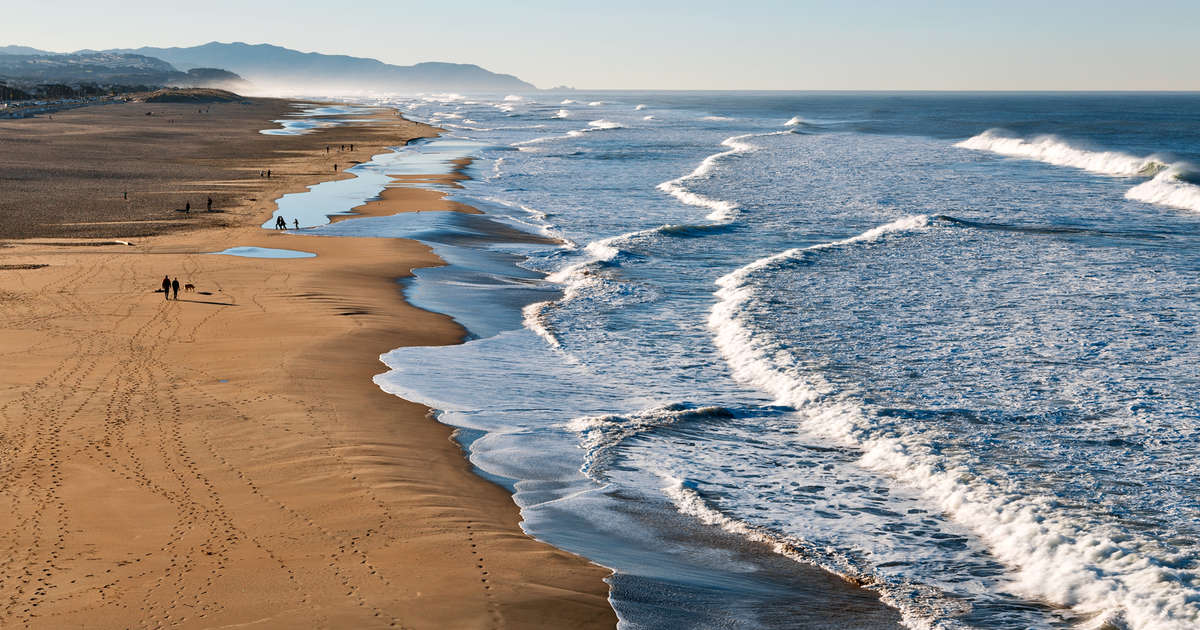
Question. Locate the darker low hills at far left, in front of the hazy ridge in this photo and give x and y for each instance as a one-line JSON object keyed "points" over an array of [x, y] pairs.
{"points": [[105, 69]]}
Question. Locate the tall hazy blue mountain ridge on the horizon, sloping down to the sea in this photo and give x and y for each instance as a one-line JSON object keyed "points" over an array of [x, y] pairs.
{"points": [[277, 67]]}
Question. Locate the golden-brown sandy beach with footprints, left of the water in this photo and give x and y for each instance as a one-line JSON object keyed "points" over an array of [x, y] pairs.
{"points": [[225, 459]]}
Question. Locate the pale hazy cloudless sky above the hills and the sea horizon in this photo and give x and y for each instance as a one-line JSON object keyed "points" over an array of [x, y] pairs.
{"points": [[1042, 45]]}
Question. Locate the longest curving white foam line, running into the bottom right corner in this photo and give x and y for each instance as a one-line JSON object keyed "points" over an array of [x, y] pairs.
{"points": [[1054, 557]]}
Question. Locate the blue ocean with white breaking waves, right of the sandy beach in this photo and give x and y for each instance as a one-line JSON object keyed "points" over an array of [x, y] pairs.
{"points": [[940, 346]]}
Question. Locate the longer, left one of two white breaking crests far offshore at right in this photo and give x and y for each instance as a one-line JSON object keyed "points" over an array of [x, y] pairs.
{"points": [[1055, 152]]}
